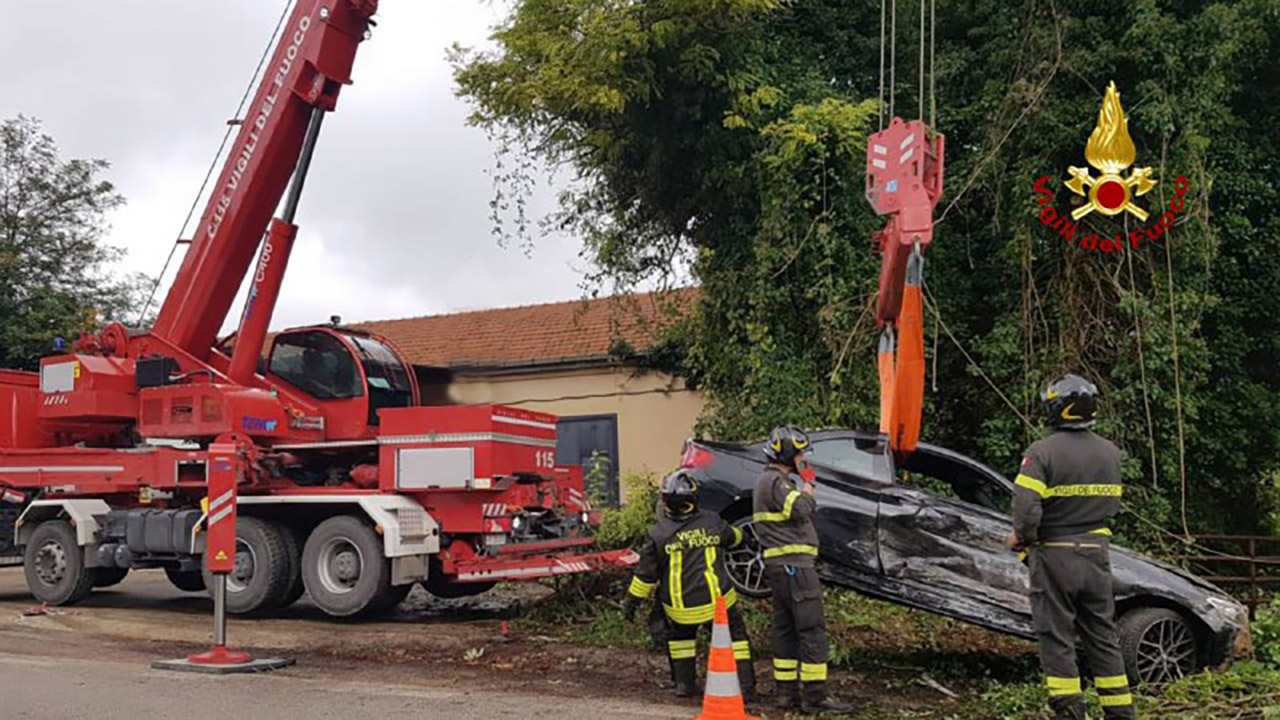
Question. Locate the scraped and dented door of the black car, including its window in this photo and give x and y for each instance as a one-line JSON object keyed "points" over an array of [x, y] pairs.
{"points": [[949, 549]]}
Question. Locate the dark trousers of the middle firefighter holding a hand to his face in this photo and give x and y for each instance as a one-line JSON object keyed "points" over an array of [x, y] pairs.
{"points": [[799, 632]]}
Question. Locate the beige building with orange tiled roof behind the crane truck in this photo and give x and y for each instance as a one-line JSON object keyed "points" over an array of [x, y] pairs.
{"points": [[564, 358]]}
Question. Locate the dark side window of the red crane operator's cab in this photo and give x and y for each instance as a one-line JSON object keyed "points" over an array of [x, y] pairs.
{"points": [[318, 364]]}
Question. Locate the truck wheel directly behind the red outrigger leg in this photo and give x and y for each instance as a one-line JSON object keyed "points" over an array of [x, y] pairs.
{"points": [[262, 575]]}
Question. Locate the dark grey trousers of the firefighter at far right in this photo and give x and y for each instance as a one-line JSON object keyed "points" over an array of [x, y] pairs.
{"points": [[1072, 600]]}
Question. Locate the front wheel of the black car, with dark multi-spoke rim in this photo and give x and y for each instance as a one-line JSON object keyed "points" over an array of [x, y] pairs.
{"points": [[1159, 646]]}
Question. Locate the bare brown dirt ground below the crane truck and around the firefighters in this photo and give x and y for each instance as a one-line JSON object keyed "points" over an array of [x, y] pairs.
{"points": [[427, 642]]}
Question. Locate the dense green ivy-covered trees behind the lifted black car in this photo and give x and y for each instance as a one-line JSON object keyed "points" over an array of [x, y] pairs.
{"points": [[732, 133]]}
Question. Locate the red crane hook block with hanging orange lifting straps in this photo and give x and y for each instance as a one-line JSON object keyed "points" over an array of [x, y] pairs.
{"points": [[904, 183]]}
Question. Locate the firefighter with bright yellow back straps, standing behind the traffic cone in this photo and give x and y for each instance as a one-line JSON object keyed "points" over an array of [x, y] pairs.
{"points": [[683, 560]]}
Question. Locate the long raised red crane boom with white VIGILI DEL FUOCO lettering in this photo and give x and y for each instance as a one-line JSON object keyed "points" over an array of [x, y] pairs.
{"points": [[309, 67]]}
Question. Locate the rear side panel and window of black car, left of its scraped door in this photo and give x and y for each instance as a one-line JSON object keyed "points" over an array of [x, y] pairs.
{"points": [[852, 473]]}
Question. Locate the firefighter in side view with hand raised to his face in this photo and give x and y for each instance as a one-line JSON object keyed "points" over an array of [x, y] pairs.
{"points": [[784, 523]]}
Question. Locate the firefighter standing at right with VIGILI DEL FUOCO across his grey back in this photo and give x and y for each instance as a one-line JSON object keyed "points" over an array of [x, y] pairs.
{"points": [[1068, 489]]}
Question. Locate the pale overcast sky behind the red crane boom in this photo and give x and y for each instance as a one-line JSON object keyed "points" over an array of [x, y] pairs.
{"points": [[395, 220]]}
